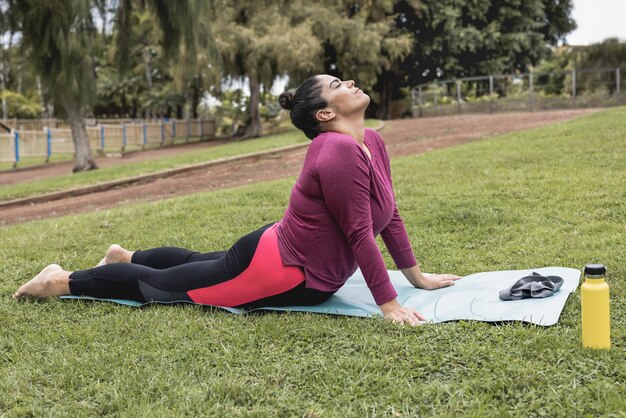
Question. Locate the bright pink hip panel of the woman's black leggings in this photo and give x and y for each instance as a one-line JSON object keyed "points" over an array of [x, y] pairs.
{"points": [[265, 276]]}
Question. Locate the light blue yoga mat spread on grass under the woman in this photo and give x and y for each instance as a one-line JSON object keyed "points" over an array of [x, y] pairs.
{"points": [[475, 297]]}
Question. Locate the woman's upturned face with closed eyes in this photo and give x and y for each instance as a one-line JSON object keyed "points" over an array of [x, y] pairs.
{"points": [[343, 97]]}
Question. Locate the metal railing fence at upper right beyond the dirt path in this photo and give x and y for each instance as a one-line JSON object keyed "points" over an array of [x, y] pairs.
{"points": [[521, 92]]}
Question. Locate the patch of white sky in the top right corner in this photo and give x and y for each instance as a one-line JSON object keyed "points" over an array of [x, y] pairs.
{"points": [[598, 20]]}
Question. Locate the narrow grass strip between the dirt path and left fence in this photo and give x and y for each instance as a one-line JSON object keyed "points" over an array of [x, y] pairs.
{"points": [[35, 187]]}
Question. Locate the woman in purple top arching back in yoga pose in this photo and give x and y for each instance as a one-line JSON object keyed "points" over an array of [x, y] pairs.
{"points": [[341, 201]]}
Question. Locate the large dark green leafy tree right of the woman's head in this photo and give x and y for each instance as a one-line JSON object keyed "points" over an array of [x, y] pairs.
{"points": [[461, 39]]}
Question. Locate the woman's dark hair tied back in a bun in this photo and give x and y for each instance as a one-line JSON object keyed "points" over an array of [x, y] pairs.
{"points": [[303, 104]]}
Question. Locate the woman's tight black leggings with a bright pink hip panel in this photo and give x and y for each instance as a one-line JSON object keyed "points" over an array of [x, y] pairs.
{"points": [[249, 275]]}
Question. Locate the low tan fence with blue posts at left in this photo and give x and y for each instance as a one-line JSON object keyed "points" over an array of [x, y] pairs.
{"points": [[51, 140]]}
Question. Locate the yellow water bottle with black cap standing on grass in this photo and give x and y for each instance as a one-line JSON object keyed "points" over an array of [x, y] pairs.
{"points": [[594, 298]]}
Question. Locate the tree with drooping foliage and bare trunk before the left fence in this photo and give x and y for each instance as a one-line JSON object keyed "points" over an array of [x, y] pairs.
{"points": [[58, 36]]}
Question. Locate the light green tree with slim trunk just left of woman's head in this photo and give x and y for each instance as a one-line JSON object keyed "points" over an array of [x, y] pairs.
{"points": [[260, 40]]}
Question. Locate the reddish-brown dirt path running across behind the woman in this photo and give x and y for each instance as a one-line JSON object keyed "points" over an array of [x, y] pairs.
{"points": [[402, 137]]}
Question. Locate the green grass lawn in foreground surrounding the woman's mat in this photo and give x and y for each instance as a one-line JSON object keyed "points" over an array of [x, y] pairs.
{"points": [[554, 196]]}
